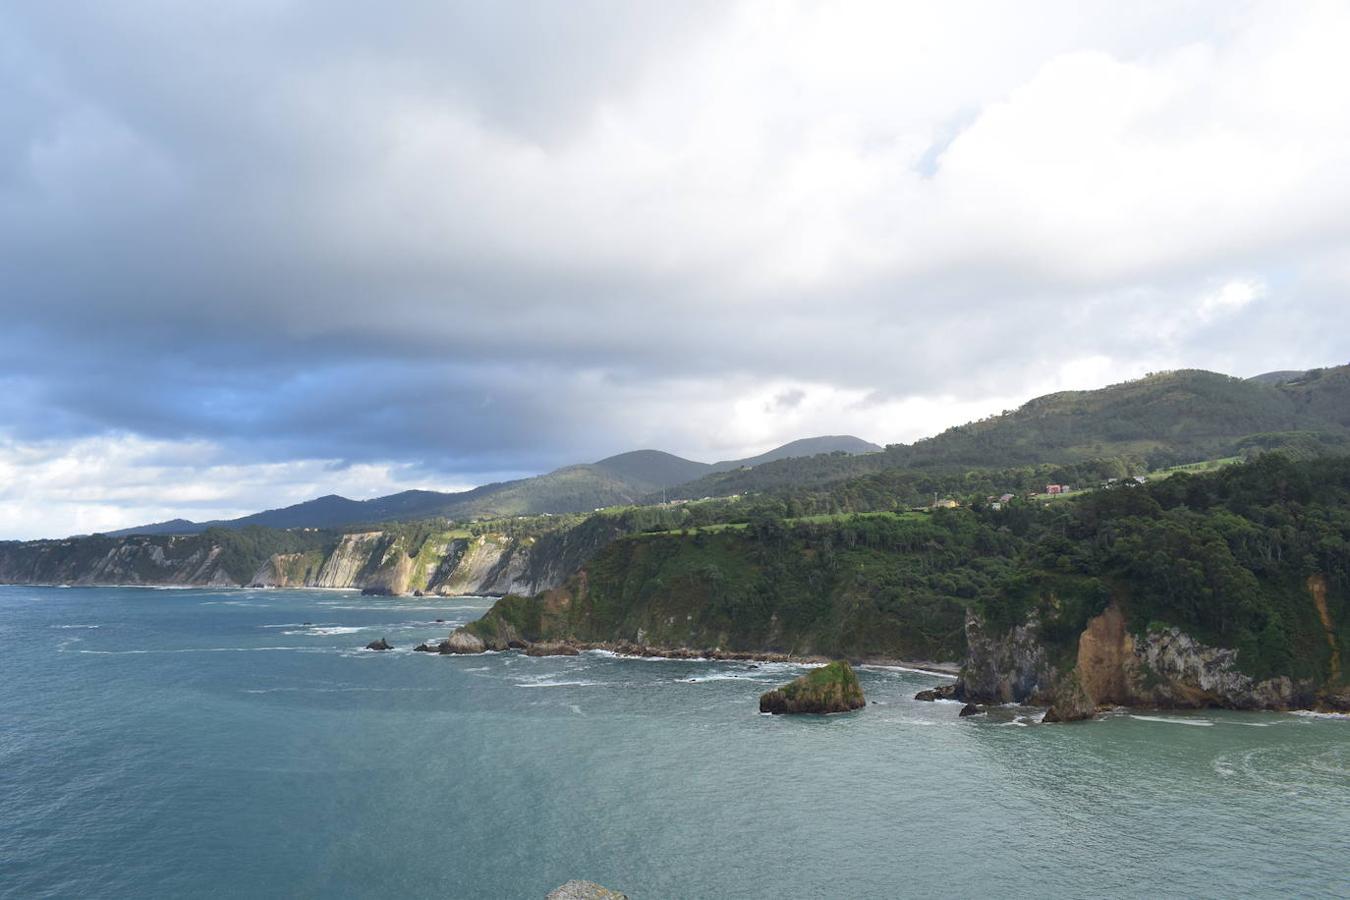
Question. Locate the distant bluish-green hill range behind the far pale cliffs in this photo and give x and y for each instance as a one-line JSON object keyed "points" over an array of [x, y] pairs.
{"points": [[627, 478]]}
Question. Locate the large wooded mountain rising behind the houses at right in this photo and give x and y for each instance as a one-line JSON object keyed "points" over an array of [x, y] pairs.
{"points": [[1159, 420]]}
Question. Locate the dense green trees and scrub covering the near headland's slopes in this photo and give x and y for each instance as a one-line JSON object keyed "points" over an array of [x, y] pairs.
{"points": [[1225, 558]]}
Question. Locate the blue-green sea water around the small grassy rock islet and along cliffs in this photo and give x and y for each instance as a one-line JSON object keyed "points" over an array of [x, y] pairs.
{"points": [[211, 744]]}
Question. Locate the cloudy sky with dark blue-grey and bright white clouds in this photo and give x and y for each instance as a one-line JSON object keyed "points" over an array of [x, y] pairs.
{"points": [[260, 252]]}
